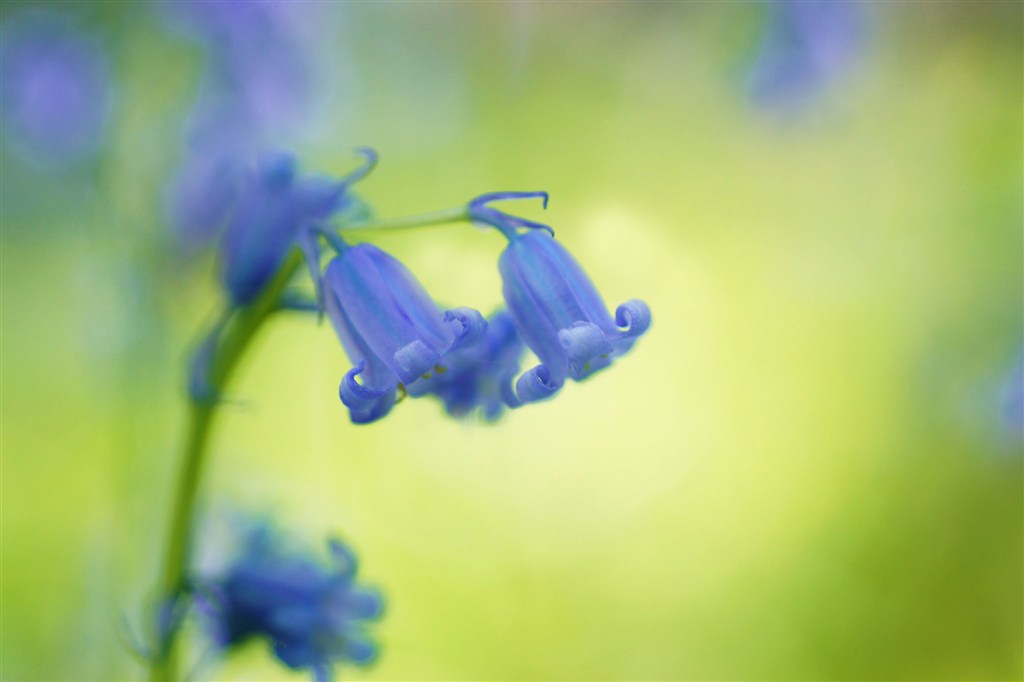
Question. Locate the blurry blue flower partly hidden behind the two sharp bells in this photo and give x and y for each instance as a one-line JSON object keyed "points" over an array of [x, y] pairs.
{"points": [[480, 375]]}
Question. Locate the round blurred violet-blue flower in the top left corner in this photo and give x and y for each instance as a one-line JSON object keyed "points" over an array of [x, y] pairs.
{"points": [[56, 91]]}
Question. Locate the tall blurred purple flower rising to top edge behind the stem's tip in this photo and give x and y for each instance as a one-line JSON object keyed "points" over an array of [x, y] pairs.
{"points": [[255, 93]]}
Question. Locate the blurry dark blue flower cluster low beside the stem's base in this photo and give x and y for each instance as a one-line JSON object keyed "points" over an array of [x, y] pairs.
{"points": [[313, 615]]}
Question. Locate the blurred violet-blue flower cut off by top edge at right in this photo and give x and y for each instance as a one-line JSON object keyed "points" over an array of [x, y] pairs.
{"points": [[806, 45]]}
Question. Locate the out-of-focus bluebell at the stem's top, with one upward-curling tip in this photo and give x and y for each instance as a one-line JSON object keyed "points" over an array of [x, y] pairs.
{"points": [[275, 205]]}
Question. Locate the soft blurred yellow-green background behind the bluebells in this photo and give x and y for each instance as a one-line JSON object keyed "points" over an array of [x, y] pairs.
{"points": [[801, 473]]}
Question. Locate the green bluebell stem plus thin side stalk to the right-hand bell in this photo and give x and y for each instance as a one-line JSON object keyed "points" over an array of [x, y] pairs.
{"points": [[223, 351]]}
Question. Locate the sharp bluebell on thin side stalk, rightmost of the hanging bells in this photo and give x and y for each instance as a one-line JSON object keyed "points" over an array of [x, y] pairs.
{"points": [[557, 309]]}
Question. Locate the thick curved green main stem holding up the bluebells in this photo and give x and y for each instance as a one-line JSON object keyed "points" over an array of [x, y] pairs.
{"points": [[243, 326]]}
